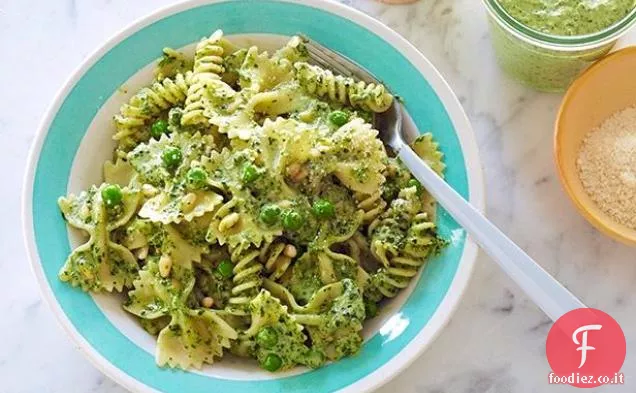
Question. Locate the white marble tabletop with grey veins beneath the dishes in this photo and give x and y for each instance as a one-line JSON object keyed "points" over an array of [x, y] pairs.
{"points": [[496, 340]]}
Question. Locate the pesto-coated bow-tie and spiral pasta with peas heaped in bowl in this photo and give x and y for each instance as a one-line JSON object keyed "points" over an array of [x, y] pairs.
{"points": [[251, 207]]}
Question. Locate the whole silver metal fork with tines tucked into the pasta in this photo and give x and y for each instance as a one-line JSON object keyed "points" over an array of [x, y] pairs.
{"points": [[552, 297]]}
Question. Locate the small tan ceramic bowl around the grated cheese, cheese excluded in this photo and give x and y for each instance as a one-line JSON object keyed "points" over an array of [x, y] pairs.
{"points": [[605, 88]]}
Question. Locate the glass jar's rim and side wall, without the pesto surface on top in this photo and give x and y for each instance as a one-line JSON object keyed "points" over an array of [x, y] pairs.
{"points": [[543, 61]]}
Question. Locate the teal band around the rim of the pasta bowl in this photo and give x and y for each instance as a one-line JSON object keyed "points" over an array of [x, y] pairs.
{"points": [[124, 59]]}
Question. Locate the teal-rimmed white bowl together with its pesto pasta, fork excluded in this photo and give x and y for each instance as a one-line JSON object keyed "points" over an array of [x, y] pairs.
{"points": [[206, 208]]}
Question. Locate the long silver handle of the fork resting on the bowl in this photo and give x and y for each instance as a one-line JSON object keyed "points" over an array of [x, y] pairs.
{"points": [[547, 293]]}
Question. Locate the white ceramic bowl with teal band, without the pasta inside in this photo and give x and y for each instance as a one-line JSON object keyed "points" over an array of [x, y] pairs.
{"points": [[74, 140]]}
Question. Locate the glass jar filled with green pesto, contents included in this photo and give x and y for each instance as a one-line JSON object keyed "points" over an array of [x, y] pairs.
{"points": [[546, 43]]}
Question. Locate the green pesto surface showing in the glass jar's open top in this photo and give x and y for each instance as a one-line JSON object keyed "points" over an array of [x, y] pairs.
{"points": [[568, 17]]}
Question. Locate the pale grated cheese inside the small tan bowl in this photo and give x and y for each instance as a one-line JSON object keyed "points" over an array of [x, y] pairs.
{"points": [[607, 166]]}
